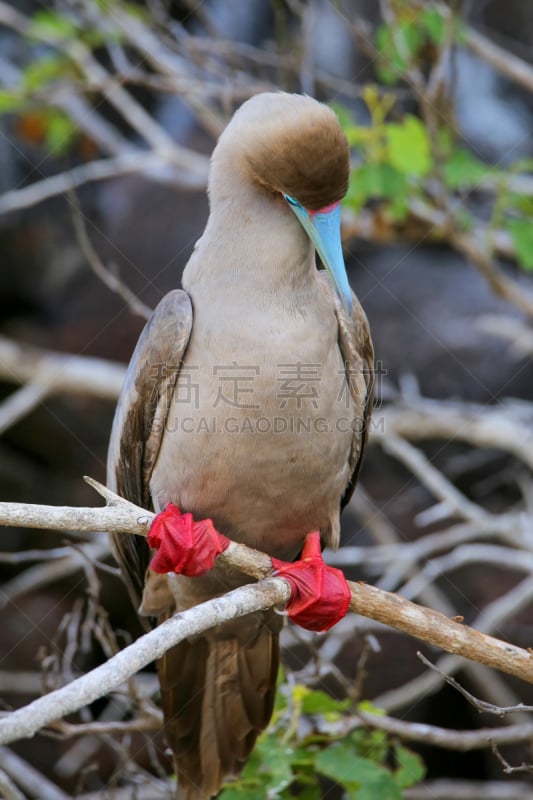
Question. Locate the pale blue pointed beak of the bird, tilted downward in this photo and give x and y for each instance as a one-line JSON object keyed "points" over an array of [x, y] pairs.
{"points": [[324, 229]]}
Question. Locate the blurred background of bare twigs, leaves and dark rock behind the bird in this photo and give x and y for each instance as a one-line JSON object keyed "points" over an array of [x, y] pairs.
{"points": [[108, 114]]}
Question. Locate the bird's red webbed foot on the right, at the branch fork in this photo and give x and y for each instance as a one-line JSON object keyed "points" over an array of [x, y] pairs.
{"points": [[320, 594]]}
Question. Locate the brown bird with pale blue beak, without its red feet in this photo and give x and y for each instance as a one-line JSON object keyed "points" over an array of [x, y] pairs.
{"points": [[247, 400]]}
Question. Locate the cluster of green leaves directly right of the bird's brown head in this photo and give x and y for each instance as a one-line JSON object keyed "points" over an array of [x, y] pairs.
{"points": [[398, 163]]}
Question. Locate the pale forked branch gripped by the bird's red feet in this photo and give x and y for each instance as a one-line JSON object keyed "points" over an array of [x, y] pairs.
{"points": [[120, 516]]}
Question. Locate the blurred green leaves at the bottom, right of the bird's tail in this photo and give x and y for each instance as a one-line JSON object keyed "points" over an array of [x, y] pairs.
{"points": [[302, 746]]}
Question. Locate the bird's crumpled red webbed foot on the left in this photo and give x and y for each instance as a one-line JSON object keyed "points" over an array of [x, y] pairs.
{"points": [[184, 546]]}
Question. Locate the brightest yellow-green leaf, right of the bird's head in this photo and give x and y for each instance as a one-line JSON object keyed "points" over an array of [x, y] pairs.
{"points": [[408, 146]]}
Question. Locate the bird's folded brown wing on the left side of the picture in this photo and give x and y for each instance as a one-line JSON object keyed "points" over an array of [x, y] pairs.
{"points": [[140, 421]]}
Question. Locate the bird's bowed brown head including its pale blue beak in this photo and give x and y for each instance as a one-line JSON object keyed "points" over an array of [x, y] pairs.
{"points": [[294, 147]]}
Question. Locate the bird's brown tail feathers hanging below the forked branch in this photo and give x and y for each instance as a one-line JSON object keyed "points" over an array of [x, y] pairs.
{"points": [[218, 694]]}
